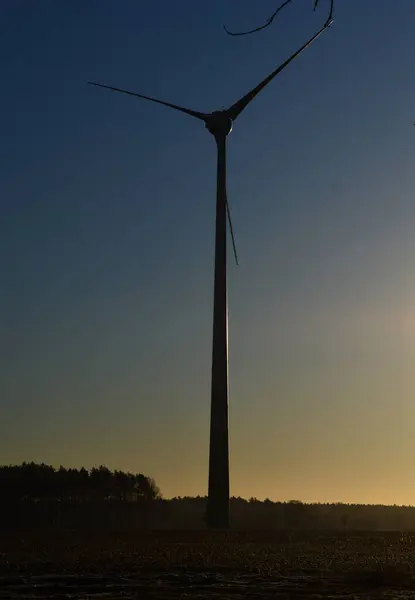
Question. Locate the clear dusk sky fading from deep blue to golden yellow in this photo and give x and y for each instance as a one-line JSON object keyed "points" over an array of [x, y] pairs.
{"points": [[107, 236]]}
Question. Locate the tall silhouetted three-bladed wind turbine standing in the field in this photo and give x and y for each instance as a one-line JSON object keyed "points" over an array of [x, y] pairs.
{"points": [[219, 124]]}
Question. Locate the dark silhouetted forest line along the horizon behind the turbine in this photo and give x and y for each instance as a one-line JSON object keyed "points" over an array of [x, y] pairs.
{"points": [[36, 496]]}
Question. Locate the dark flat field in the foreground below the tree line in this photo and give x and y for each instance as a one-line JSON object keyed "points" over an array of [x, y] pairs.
{"points": [[201, 565]]}
